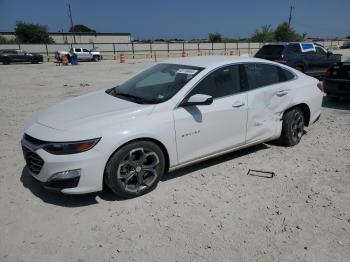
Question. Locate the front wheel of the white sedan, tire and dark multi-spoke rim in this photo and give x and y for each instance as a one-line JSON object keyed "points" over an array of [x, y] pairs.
{"points": [[135, 169]]}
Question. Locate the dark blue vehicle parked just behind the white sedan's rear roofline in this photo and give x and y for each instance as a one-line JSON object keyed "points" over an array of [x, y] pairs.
{"points": [[314, 61]]}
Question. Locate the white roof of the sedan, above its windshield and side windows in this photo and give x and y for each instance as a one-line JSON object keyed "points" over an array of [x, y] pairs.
{"points": [[211, 61]]}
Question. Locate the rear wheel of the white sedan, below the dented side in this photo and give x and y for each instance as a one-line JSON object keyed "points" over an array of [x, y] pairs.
{"points": [[292, 127]]}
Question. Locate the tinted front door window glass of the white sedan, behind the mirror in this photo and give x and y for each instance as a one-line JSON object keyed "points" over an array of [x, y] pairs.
{"points": [[223, 82]]}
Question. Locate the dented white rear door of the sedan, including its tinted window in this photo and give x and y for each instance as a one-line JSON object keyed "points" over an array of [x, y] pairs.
{"points": [[269, 96]]}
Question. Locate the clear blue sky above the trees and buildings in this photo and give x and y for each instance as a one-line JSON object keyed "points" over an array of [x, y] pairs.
{"points": [[153, 19]]}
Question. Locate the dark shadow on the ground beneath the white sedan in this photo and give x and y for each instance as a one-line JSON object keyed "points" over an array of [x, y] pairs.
{"points": [[90, 199]]}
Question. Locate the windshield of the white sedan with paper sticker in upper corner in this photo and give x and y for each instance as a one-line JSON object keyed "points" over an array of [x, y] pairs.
{"points": [[155, 85]]}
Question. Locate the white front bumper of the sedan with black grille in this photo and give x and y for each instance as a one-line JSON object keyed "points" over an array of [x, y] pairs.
{"points": [[43, 166]]}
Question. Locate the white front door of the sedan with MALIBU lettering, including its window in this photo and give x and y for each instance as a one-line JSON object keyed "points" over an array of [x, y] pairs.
{"points": [[207, 129]]}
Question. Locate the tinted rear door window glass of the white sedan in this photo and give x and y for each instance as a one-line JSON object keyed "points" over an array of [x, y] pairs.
{"points": [[262, 75]]}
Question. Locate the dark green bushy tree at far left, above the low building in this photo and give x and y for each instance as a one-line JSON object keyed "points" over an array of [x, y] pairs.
{"points": [[32, 33]]}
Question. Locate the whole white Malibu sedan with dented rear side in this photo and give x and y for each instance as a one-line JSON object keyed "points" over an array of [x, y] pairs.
{"points": [[171, 115]]}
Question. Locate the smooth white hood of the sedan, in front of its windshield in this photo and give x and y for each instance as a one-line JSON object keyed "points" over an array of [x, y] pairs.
{"points": [[92, 111]]}
